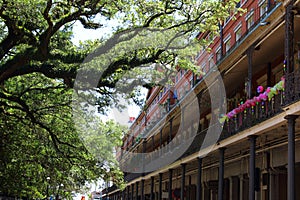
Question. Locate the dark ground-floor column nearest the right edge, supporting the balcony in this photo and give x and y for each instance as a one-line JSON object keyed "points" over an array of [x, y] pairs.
{"points": [[291, 156]]}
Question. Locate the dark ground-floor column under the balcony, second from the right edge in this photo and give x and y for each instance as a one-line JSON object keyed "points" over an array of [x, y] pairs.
{"points": [[252, 140]]}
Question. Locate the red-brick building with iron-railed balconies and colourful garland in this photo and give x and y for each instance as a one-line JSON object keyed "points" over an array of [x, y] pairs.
{"points": [[257, 153]]}
